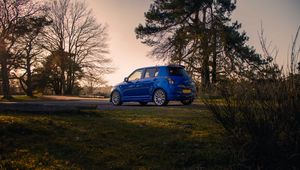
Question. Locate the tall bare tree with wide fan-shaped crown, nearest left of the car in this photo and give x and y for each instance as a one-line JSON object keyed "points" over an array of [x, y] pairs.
{"points": [[75, 32]]}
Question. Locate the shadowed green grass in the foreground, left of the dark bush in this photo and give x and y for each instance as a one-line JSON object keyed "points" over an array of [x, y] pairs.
{"points": [[151, 138]]}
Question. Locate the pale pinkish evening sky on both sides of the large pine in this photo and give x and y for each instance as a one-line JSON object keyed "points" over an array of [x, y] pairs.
{"points": [[280, 20]]}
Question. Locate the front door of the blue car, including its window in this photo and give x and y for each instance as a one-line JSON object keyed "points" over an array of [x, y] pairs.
{"points": [[132, 88]]}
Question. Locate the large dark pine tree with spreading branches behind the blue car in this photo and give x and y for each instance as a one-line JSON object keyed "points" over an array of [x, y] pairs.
{"points": [[200, 35]]}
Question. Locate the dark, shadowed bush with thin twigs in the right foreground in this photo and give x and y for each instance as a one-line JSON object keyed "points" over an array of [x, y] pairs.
{"points": [[261, 122]]}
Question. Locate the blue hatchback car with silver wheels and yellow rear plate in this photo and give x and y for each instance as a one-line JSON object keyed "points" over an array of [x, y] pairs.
{"points": [[158, 84]]}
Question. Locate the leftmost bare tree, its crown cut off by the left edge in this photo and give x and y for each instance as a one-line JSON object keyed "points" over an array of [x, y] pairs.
{"points": [[12, 20]]}
